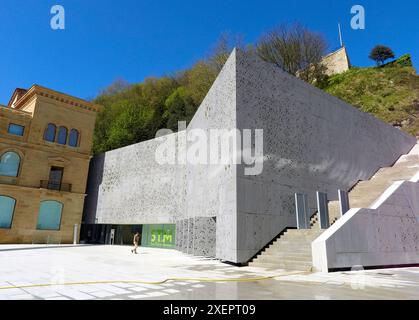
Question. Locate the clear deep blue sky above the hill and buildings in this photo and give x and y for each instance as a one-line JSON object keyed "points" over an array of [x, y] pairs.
{"points": [[132, 39]]}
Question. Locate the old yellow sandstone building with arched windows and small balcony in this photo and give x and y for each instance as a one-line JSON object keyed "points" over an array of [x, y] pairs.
{"points": [[45, 148]]}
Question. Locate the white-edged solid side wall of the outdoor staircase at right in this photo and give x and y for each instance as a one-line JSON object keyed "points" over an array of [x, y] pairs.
{"points": [[386, 234]]}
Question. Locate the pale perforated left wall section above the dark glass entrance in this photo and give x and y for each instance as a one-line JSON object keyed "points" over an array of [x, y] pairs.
{"points": [[128, 186]]}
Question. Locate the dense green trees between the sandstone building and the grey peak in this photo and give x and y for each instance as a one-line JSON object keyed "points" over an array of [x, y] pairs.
{"points": [[134, 113]]}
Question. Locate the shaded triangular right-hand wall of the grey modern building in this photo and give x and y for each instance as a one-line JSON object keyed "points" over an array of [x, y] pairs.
{"points": [[312, 141]]}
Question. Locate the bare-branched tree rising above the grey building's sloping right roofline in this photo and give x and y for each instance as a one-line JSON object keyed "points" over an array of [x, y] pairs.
{"points": [[295, 49]]}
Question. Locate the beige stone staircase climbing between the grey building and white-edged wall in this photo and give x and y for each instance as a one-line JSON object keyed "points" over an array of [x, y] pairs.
{"points": [[292, 250]]}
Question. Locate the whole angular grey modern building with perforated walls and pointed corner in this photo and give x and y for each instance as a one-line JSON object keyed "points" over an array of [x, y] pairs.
{"points": [[311, 142]]}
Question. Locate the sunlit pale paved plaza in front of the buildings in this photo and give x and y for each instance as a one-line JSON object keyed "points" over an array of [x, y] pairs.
{"points": [[113, 272]]}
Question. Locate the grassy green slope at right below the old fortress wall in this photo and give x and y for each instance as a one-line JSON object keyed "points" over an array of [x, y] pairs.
{"points": [[390, 92]]}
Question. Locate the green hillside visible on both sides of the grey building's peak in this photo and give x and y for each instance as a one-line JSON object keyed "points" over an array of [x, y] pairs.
{"points": [[134, 112]]}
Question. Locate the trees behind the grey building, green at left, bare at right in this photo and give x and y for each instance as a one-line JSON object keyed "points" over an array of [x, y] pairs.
{"points": [[133, 113]]}
